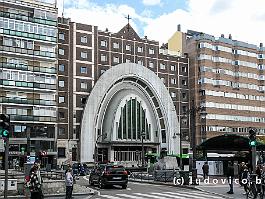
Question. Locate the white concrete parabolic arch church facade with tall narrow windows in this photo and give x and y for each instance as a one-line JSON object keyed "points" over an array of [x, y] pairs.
{"points": [[127, 101]]}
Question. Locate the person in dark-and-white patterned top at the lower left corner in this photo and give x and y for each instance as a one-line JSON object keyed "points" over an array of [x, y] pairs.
{"points": [[35, 183]]}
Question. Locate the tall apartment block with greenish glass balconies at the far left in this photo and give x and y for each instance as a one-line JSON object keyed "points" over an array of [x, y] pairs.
{"points": [[28, 76]]}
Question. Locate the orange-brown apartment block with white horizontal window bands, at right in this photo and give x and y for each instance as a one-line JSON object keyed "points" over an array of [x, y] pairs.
{"points": [[226, 82]]}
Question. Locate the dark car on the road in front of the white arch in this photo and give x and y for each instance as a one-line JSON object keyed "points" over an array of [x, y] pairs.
{"points": [[104, 175]]}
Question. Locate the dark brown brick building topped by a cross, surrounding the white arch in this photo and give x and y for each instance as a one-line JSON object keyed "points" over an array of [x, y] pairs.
{"points": [[85, 55]]}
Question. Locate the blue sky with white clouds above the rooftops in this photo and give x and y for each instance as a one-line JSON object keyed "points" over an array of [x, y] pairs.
{"points": [[158, 19]]}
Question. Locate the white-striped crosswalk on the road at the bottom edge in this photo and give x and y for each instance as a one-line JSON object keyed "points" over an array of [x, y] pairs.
{"points": [[163, 195]]}
